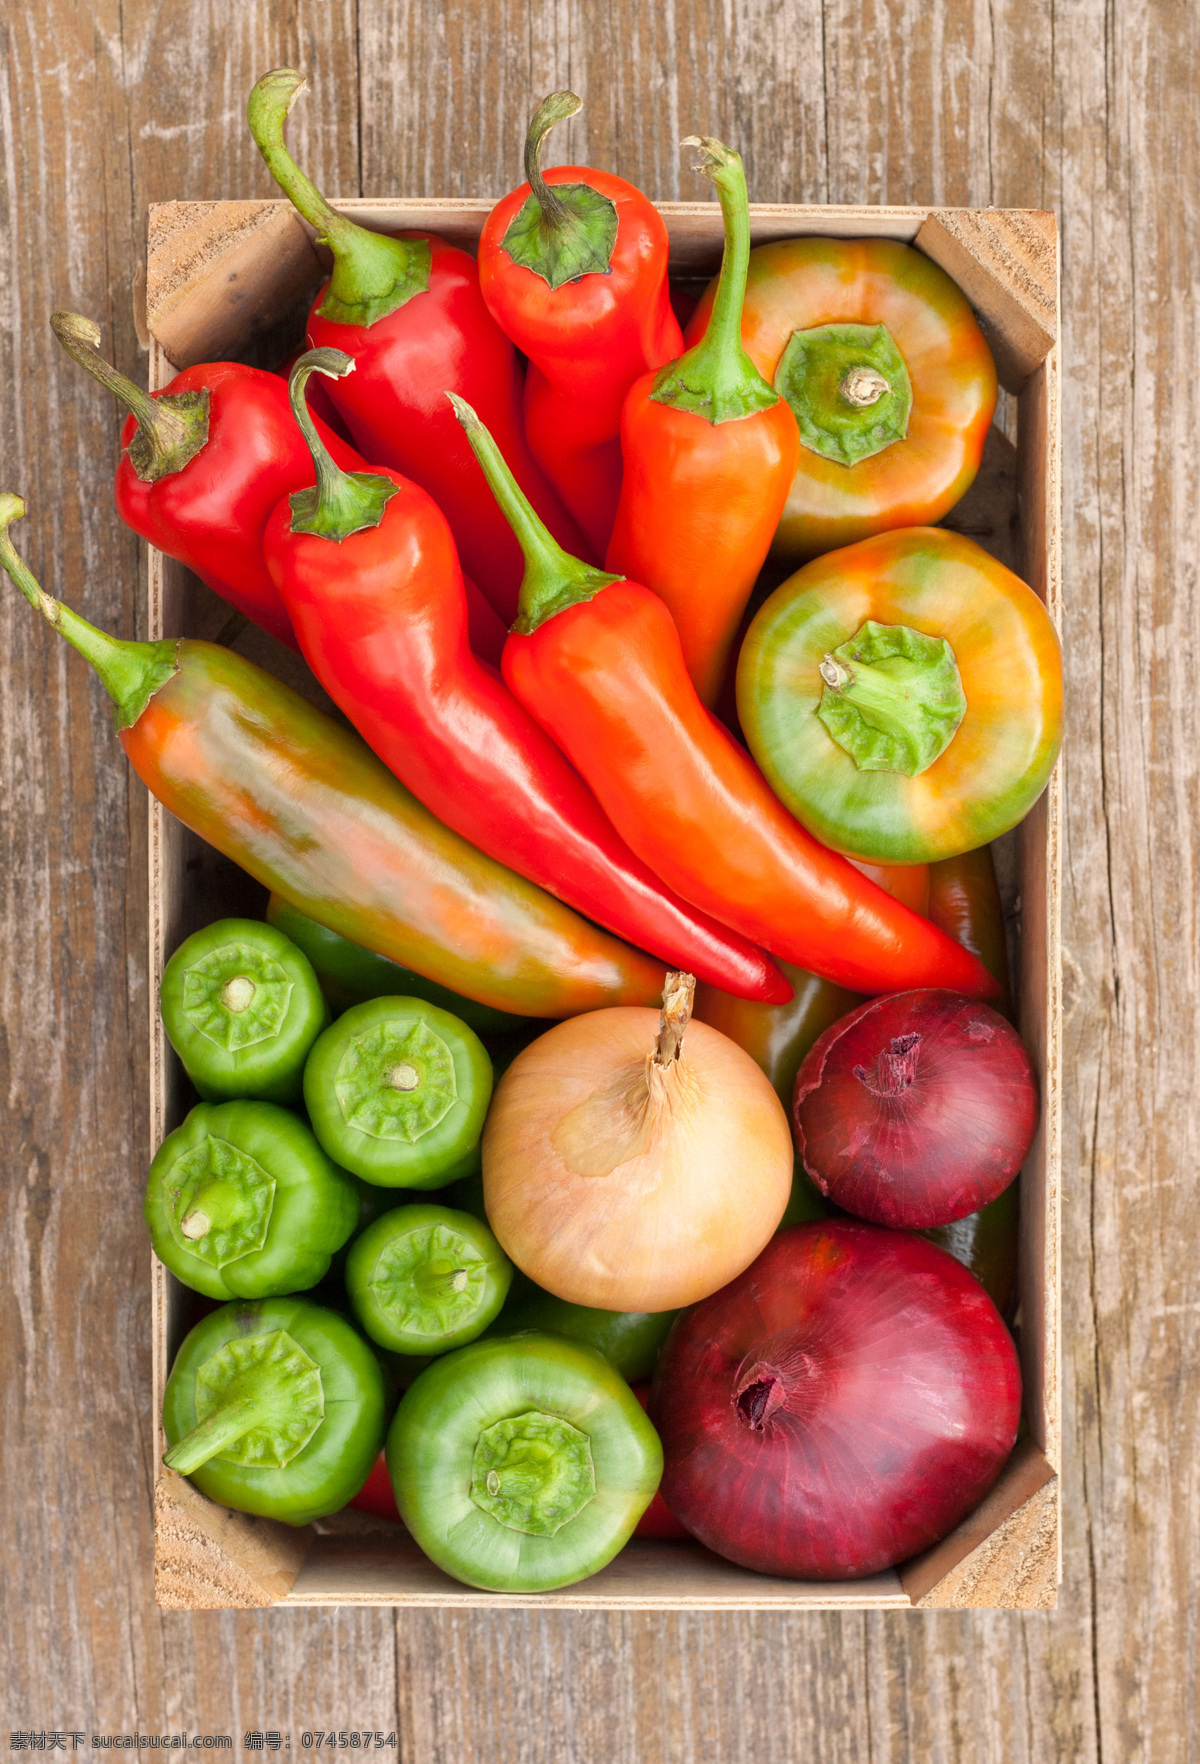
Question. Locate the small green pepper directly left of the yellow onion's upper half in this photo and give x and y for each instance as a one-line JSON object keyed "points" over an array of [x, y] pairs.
{"points": [[398, 1091]]}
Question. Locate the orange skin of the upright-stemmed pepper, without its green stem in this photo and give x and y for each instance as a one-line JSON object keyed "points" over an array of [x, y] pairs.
{"points": [[700, 509]]}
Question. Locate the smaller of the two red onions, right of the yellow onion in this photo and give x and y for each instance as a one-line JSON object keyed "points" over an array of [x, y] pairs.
{"points": [[915, 1110]]}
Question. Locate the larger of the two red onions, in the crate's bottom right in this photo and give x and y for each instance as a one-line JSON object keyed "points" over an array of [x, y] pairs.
{"points": [[892, 1403]]}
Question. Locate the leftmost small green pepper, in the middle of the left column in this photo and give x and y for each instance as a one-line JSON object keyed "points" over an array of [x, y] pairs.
{"points": [[244, 1204]]}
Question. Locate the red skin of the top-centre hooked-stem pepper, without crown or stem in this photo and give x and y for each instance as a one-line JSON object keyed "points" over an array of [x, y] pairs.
{"points": [[587, 341]]}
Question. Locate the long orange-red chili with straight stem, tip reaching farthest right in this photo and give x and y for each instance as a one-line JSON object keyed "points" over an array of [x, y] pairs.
{"points": [[599, 662]]}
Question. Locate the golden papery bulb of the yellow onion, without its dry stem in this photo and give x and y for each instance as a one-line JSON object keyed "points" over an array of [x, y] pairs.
{"points": [[608, 1213]]}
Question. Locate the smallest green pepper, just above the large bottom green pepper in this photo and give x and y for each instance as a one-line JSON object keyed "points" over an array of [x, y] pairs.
{"points": [[424, 1280]]}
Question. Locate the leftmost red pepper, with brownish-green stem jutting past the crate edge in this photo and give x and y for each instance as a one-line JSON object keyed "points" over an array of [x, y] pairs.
{"points": [[204, 465]]}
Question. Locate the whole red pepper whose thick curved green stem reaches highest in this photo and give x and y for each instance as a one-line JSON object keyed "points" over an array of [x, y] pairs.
{"points": [[410, 313]]}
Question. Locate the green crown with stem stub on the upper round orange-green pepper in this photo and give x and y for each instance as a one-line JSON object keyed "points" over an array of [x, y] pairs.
{"points": [[848, 389]]}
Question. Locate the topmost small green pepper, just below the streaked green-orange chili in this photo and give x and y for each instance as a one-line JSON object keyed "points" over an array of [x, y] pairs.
{"points": [[243, 1006]]}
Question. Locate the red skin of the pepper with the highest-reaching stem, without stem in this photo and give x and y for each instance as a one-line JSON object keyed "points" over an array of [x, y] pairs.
{"points": [[396, 408]]}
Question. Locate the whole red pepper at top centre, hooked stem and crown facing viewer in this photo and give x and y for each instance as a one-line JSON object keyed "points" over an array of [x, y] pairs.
{"points": [[574, 267]]}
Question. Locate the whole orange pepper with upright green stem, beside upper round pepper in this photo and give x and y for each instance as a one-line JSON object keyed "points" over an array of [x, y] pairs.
{"points": [[710, 456]]}
